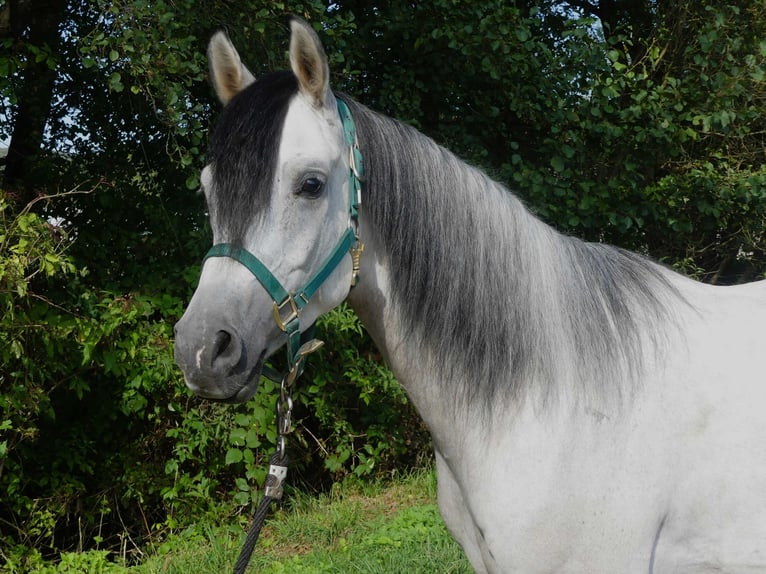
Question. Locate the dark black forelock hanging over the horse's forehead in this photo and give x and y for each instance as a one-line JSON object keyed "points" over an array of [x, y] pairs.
{"points": [[243, 153]]}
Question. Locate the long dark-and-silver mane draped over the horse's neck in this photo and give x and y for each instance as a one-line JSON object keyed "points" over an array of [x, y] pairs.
{"points": [[504, 304]]}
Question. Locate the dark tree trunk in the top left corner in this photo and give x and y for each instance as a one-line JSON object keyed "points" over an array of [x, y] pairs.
{"points": [[31, 23]]}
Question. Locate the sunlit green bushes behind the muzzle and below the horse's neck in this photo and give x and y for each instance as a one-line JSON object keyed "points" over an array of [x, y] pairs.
{"points": [[103, 447]]}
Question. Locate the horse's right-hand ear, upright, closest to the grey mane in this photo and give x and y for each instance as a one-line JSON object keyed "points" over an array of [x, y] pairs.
{"points": [[309, 63]]}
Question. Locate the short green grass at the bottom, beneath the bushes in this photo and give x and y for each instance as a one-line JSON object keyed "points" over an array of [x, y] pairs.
{"points": [[380, 528]]}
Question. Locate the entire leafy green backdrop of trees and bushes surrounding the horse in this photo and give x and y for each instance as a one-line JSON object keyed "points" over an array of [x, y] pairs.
{"points": [[636, 123]]}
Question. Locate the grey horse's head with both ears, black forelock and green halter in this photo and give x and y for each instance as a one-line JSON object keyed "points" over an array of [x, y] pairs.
{"points": [[282, 214]]}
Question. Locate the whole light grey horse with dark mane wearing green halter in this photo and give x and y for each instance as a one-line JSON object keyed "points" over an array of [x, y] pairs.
{"points": [[591, 410]]}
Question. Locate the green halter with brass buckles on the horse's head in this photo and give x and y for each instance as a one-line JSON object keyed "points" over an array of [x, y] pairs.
{"points": [[287, 307]]}
